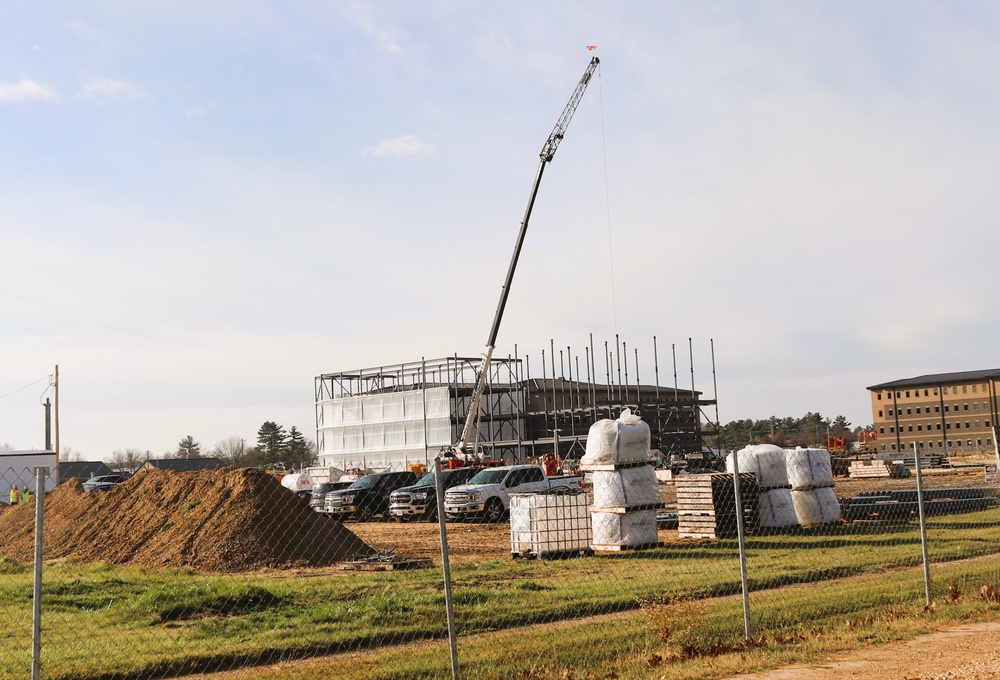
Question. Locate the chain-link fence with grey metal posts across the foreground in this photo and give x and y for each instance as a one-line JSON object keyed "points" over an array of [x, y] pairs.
{"points": [[616, 569]]}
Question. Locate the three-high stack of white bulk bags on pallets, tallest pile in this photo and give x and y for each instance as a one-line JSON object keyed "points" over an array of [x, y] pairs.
{"points": [[626, 493]]}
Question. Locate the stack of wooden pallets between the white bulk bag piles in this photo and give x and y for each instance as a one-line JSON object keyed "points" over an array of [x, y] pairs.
{"points": [[706, 505]]}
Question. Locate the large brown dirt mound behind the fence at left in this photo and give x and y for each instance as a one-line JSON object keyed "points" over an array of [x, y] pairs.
{"points": [[213, 520]]}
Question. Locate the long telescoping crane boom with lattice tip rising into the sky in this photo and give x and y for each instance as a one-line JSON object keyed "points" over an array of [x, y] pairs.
{"points": [[548, 151]]}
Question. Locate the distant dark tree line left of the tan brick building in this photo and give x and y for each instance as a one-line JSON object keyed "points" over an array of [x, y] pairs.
{"points": [[809, 430]]}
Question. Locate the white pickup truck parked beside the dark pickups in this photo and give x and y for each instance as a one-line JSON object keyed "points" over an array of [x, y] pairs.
{"points": [[488, 493]]}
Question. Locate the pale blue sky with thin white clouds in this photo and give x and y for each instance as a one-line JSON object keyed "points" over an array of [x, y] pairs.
{"points": [[204, 205]]}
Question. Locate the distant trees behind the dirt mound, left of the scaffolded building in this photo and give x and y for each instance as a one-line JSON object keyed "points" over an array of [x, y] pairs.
{"points": [[276, 448]]}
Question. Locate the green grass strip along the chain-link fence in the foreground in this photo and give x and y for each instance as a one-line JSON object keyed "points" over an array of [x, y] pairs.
{"points": [[103, 621]]}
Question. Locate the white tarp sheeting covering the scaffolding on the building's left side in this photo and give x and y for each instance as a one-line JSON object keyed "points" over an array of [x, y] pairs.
{"points": [[378, 430]]}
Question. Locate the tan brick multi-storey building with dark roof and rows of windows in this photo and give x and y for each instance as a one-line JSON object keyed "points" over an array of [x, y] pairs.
{"points": [[942, 413]]}
